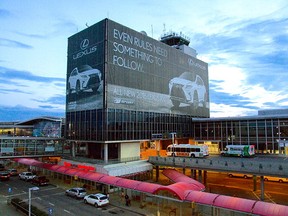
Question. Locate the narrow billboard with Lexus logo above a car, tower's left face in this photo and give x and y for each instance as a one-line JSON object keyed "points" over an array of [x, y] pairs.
{"points": [[85, 68]]}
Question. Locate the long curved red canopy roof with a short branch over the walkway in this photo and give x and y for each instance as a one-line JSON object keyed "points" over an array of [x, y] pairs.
{"points": [[185, 189]]}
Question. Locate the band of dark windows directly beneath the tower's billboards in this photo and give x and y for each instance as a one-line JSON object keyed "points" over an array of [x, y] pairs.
{"points": [[124, 125]]}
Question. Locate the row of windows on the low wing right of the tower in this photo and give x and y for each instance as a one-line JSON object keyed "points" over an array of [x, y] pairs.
{"points": [[264, 133]]}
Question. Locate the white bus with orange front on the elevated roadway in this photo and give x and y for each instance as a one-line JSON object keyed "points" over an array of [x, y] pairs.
{"points": [[187, 150]]}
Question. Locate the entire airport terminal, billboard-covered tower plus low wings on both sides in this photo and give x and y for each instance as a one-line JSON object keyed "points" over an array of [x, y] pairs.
{"points": [[127, 92]]}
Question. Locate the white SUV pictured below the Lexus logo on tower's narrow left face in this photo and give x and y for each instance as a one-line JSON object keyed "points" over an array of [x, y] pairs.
{"points": [[84, 78]]}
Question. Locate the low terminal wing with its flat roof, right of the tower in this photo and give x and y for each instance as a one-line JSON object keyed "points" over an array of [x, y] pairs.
{"points": [[268, 131]]}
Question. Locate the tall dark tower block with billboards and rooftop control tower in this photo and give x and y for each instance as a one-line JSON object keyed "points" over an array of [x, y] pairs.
{"points": [[123, 87]]}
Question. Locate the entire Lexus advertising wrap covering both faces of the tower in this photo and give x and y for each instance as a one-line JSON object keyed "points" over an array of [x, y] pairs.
{"points": [[139, 73]]}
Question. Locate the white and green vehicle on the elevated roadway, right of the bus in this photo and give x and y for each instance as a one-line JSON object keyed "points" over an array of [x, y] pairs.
{"points": [[239, 150]]}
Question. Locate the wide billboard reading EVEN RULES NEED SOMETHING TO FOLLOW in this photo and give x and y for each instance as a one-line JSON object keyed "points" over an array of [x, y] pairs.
{"points": [[144, 74]]}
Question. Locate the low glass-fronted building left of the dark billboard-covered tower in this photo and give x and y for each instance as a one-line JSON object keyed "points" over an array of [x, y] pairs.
{"points": [[39, 136]]}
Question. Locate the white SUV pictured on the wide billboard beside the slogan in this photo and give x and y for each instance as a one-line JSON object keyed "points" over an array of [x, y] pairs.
{"points": [[188, 88]]}
